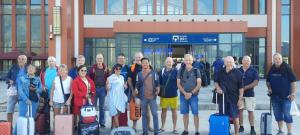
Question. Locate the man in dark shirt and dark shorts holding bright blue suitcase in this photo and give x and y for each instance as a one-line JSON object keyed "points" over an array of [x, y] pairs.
{"points": [[229, 81]]}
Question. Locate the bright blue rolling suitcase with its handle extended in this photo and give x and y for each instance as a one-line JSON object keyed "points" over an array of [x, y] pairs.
{"points": [[219, 123]]}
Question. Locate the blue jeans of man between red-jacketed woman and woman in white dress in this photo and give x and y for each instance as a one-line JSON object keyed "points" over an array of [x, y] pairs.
{"points": [[100, 94]]}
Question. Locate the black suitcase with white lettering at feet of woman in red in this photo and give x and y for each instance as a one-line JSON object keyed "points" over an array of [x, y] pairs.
{"points": [[88, 129]]}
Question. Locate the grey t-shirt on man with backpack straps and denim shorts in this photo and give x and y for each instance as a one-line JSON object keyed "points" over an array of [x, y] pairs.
{"points": [[188, 80]]}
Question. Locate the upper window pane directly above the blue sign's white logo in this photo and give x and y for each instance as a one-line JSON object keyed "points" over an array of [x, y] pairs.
{"points": [[175, 7]]}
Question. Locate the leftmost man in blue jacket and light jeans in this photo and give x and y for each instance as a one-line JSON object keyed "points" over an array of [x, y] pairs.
{"points": [[15, 72]]}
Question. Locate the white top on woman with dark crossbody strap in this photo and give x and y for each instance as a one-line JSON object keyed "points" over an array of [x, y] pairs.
{"points": [[58, 94]]}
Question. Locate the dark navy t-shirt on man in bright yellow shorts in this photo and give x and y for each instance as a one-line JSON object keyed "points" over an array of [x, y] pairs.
{"points": [[171, 87]]}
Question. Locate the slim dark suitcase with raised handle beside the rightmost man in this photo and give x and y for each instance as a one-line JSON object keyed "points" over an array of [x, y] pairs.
{"points": [[266, 122]]}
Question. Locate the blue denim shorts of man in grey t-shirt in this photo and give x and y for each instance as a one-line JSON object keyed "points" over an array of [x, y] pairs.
{"points": [[186, 104]]}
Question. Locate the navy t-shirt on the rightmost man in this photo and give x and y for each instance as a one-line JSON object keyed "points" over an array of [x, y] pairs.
{"points": [[280, 80]]}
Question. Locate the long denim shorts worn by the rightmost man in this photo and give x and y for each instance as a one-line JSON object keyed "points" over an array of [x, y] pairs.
{"points": [[281, 109]]}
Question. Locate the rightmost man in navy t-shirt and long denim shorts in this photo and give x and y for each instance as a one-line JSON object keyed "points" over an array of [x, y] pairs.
{"points": [[281, 83]]}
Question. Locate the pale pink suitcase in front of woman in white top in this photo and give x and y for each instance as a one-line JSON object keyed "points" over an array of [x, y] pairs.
{"points": [[63, 123]]}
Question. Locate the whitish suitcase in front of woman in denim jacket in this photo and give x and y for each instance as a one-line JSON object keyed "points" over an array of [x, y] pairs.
{"points": [[25, 125]]}
